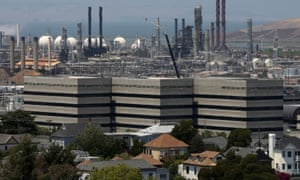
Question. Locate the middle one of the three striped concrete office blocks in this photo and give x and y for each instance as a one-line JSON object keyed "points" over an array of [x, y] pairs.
{"points": [[140, 103]]}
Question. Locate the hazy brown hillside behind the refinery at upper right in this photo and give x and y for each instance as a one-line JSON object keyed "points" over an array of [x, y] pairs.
{"points": [[287, 30]]}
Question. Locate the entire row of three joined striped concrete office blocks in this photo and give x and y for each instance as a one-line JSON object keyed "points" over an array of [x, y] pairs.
{"points": [[121, 104]]}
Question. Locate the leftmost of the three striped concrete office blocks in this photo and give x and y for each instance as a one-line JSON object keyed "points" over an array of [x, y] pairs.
{"points": [[59, 100]]}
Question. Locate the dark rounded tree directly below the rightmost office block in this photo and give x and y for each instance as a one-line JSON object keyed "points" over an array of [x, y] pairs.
{"points": [[239, 137]]}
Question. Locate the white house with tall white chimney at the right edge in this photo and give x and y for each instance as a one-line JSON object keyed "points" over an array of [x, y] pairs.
{"points": [[285, 153]]}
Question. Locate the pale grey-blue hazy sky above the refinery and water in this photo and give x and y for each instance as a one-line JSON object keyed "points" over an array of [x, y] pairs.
{"points": [[26, 11]]}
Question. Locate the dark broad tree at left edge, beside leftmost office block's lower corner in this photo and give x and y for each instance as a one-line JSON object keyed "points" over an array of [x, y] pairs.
{"points": [[19, 121]]}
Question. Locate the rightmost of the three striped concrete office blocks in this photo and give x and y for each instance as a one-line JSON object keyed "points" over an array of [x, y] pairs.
{"points": [[224, 104]]}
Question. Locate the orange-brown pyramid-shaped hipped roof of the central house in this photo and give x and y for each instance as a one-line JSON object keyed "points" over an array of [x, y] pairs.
{"points": [[165, 141]]}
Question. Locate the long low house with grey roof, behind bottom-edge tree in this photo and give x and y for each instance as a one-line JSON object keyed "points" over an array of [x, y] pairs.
{"points": [[146, 169]]}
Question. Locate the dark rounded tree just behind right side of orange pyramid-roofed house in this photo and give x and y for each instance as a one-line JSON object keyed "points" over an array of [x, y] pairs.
{"points": [[184, 131]]}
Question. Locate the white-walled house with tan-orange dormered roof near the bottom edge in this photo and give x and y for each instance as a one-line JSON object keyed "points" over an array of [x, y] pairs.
{"points": [[190, 168]]}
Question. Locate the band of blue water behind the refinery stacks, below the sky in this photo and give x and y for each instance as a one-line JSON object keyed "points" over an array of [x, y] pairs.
{"points": [[110, 30]]}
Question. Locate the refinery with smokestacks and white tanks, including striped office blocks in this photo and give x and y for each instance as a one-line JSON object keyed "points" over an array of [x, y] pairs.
{"points": [[197, 76]]}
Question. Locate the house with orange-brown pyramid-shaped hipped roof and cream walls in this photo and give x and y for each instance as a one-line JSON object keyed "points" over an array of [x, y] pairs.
{"points": [[164, 145]]}
